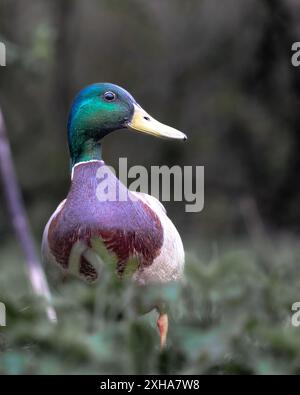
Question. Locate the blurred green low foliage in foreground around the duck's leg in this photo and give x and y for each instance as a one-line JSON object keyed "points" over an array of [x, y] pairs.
{"points": [[232, 315]]}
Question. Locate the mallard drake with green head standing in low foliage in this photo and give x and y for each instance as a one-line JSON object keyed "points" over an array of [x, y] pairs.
{"points": [[136, 228]]}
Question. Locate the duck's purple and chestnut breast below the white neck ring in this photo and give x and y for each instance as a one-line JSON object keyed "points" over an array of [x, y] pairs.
{"points": [[99, 209]]}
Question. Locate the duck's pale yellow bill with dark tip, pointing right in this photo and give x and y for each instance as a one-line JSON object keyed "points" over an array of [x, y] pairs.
{"points": [[143, 122]]}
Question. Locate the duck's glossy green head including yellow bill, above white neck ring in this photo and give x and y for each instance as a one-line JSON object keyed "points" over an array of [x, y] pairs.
{"points": [[103, 108]]}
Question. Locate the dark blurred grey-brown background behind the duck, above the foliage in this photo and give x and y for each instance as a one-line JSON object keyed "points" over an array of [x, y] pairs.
{"points": [[219, 70]]}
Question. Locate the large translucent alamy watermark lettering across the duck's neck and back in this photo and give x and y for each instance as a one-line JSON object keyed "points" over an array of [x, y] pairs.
{"points": [[165, 183]]}
